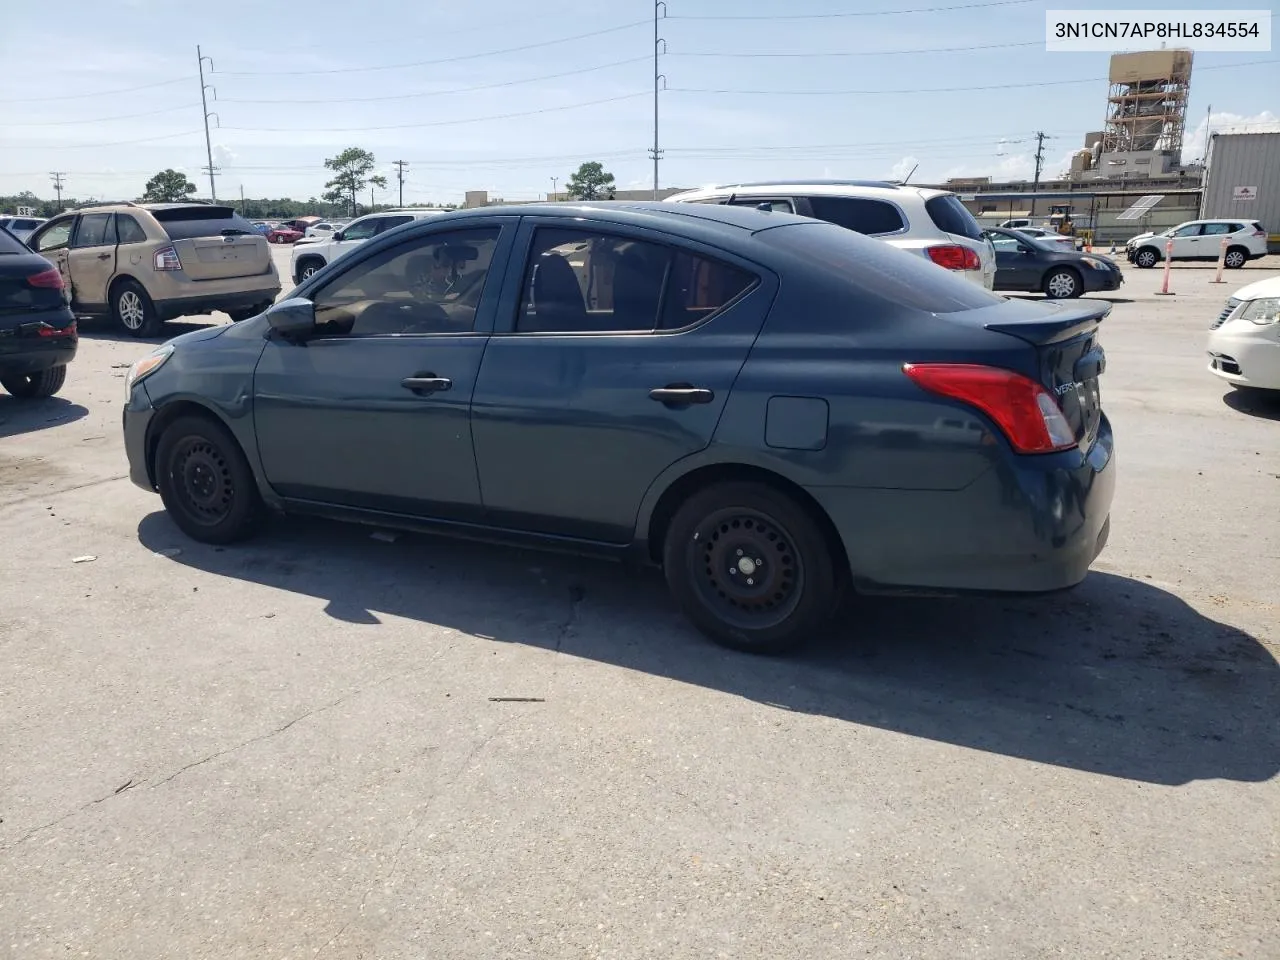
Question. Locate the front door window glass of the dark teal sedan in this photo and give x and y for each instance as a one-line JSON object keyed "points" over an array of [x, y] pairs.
{"points": [[429, 285]]}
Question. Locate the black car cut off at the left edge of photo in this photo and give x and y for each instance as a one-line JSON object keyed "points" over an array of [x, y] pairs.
{"points": [[38, 330]]}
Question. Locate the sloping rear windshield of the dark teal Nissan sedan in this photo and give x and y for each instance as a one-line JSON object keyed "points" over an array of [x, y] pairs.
{"points": [[877, 268]]}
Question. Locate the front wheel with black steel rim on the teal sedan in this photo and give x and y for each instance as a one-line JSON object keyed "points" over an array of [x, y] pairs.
{"points": [[207, 483]]}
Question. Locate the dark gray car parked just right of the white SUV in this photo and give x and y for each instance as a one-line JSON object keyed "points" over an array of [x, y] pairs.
{"points": [[1028, 264]]}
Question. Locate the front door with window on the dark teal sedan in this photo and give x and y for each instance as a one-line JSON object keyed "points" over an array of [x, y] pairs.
{"points": [[373, 410]]}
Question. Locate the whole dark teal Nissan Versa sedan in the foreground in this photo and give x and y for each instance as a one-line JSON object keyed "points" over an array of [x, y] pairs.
{"points": [[767, 406]]}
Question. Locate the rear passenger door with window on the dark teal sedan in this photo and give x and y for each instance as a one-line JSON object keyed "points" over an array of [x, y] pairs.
{"points": [[612, 359]]}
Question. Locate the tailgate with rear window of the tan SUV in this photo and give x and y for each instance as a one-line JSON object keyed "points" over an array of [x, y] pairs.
{"points": [[214, 243]]}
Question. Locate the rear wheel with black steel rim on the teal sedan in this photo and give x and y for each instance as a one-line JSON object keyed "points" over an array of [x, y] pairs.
{"points": [[751, 568]]}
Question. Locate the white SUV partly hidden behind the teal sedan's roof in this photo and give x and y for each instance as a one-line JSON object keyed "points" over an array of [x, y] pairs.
{"points": [[931, 223]]}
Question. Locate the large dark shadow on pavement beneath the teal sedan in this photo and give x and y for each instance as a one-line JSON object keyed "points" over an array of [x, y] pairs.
{"points": [[1116, 678]]}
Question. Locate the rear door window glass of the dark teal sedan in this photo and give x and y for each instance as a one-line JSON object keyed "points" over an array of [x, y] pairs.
{"points": [[589, 282]]}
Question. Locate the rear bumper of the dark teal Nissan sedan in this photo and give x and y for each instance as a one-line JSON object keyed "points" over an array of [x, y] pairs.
{"points": [[1031, 525]]}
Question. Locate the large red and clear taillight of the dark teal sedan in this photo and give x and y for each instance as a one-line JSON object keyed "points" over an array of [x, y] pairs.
{"points": [[1023, 409]]}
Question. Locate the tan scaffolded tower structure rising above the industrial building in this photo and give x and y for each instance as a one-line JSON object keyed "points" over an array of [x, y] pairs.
{"points": [[1148, 103]]}
